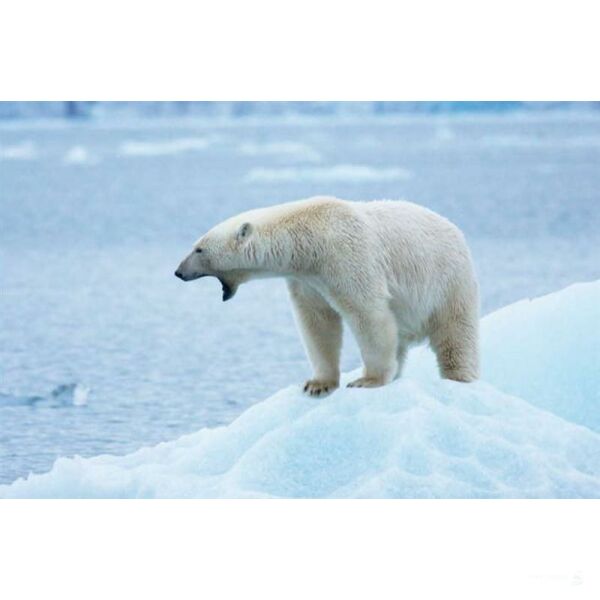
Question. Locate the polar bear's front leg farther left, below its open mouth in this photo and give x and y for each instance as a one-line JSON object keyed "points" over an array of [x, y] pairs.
{"points": [[321, 330]]}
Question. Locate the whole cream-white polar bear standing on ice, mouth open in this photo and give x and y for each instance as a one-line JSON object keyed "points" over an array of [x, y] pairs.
{"points": [[395, 272]]}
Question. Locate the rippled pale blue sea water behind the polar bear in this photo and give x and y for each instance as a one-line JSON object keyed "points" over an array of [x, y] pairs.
{"points": [[102, 350]]}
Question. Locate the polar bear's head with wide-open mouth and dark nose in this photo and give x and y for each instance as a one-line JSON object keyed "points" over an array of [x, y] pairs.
{"points": [[225, 252]]}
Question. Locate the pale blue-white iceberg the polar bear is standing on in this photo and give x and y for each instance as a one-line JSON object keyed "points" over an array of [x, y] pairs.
{"points": [[418, 437]]}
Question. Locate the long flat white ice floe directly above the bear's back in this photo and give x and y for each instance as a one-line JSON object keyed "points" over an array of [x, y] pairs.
{"points": [[338, 173]]}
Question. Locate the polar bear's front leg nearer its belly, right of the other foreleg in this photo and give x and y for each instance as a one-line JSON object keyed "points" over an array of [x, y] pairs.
{"points": [[375, 330]]}
